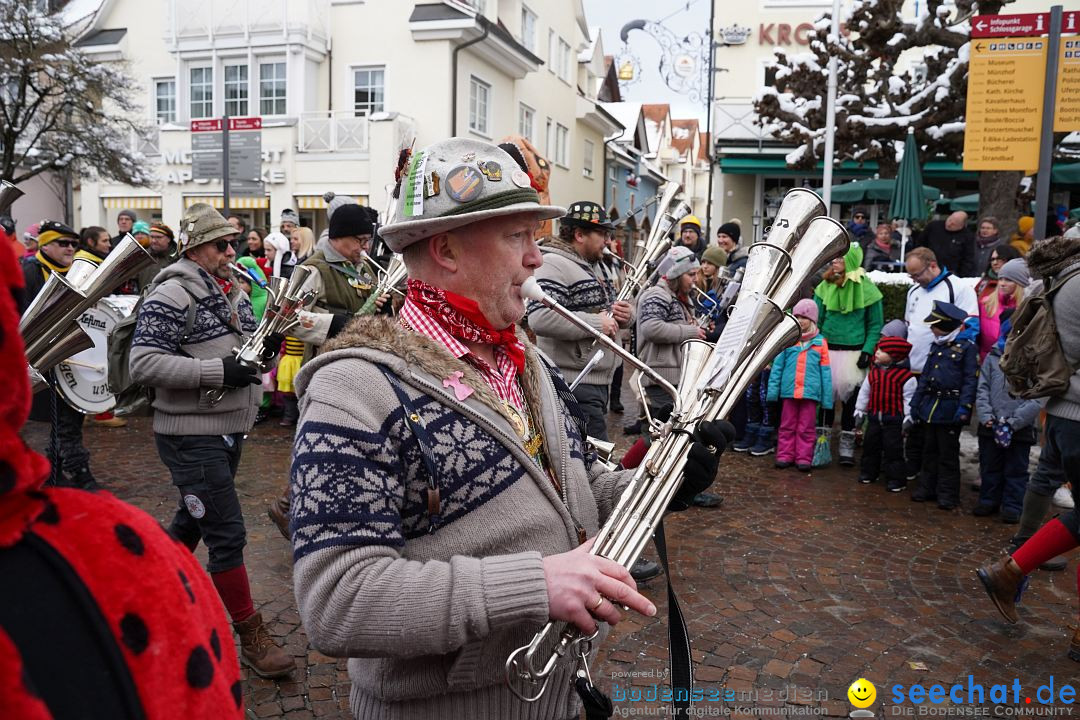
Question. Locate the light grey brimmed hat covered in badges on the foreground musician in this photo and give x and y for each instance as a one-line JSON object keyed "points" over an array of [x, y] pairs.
{"points": [[456, 183]]}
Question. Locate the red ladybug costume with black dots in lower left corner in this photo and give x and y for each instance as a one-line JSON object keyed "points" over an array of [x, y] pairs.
{"points": [[104, 616]]}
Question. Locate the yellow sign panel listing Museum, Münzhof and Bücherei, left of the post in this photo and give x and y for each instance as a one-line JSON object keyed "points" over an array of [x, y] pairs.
{"points": [[1006, 78]]}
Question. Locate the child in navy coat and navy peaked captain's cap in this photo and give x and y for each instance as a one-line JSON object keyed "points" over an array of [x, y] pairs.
{"points": [[943, 403]]}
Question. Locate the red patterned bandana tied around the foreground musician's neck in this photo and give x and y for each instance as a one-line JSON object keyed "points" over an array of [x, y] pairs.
{"points": [[463, 319]]}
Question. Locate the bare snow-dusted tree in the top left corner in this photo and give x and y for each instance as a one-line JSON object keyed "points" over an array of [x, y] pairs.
{"points": [[61, 110]]}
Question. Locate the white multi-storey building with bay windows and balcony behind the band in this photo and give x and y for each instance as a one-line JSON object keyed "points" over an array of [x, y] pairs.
{"points": [[341, 87]]}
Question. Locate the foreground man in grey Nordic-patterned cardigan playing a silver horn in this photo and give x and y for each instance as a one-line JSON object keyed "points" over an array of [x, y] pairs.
{"points": [[442, 490]]}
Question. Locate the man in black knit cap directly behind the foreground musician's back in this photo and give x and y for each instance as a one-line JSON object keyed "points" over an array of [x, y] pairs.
{"points": [[343, 282]]}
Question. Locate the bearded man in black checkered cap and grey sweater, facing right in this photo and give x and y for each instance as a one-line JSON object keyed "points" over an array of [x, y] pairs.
{"points": [[572, 276]]}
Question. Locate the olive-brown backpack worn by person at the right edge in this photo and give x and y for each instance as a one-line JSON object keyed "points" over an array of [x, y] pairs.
{"points": [[1034, 362]]}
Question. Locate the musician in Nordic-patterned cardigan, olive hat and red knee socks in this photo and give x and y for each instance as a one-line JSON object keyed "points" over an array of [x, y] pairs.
{"points": [[198, 442]]}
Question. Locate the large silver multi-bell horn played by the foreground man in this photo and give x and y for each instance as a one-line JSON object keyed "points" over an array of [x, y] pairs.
{"points": [[713, 378]]}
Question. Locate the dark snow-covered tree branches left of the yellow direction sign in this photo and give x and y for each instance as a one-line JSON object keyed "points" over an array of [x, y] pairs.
{"points": [[892, 75]]}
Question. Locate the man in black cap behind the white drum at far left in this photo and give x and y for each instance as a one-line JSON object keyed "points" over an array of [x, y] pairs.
{"points": [[57, 249]]}
